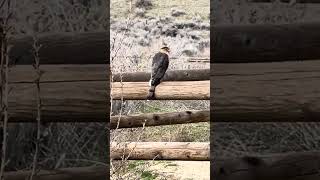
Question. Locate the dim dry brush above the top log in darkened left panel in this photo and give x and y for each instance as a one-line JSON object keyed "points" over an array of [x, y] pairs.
{"points": [[58, 16]]}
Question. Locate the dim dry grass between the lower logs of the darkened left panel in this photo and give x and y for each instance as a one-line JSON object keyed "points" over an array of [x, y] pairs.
{"points": [[62, 145]]}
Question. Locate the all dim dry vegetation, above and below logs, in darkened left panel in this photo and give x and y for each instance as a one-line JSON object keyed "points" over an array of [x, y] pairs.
{"points": [[64, 144]]}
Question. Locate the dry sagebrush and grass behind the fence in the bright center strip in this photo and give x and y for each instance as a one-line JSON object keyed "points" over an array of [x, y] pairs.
{"points": [[138, 29]]}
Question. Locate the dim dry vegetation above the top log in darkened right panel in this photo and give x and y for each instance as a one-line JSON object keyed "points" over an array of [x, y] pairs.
{"points": [[228, 11]]}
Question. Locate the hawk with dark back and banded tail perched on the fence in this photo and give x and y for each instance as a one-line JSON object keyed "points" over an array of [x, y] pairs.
{"points": [[160, 65]]}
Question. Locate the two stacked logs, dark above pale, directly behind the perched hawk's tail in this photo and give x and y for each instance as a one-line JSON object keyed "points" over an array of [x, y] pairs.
{"points": [[176, 85]]}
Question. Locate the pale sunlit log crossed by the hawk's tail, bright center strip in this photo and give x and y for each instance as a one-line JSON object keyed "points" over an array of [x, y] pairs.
{"points": [[171, 90]]}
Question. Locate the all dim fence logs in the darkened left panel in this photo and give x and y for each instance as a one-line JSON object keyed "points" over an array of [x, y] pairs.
{"points": [[74, 79]]}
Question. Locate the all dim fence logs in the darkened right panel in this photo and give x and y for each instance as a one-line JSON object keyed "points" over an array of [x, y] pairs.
{"points": [[266, 73]]}
